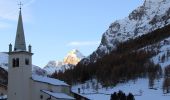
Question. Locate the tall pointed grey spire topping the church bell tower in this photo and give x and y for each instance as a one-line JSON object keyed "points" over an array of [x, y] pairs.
{"points": [[20, 38]]}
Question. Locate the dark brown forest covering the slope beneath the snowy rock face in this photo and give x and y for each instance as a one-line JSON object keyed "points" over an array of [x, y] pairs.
{"points": [[129, 61]]}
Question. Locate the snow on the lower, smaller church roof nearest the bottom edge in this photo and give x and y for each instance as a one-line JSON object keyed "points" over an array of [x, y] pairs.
{"points": [[58, 95]]}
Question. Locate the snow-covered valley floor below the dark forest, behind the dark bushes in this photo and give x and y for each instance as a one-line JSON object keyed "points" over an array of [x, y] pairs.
{"points": [[138, 88]]}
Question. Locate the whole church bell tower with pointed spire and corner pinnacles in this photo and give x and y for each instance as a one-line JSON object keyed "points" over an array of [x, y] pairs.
{"points": [[20, 66]]}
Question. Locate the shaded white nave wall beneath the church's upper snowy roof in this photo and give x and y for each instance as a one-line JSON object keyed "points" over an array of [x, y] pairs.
{"points": [[38, 87]]}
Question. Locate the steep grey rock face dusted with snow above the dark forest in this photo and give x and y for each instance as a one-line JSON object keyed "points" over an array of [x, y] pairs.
{"points": [[153, 14]]}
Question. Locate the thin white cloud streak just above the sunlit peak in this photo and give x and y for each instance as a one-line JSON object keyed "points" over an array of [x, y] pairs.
{"points": [[83, 43]]}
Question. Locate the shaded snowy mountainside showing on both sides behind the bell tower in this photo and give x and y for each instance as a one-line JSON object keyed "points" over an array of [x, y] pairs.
{"points": [[4, 64]]}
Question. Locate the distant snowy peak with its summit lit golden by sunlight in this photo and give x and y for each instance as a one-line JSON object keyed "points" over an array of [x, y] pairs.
{"points": [[71, 59]]}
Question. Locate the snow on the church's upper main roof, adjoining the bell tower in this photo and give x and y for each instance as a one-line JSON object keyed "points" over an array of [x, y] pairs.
{"points": [[48, 80]]}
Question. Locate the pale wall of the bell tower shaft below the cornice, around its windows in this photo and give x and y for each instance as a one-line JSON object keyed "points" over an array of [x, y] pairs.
{"points": [[18, 78]]}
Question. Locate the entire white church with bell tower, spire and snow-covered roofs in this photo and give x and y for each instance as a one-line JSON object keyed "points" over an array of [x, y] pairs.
{"points": [[22, 85]]}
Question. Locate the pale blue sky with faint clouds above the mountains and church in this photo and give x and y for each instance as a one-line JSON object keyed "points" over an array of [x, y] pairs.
{"points": [[55, 27]]}
